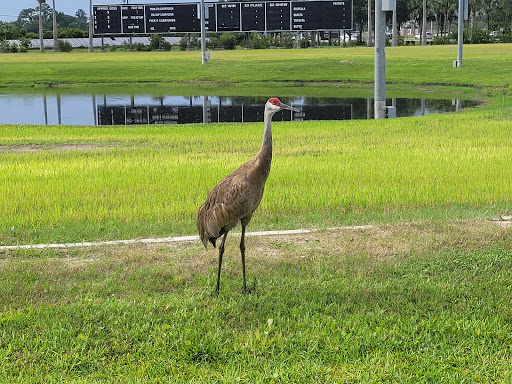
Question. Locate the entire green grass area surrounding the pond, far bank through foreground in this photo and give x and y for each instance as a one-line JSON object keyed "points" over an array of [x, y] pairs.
{"points": [[423, 296]]}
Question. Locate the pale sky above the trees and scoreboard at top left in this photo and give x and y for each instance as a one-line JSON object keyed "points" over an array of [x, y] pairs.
{"points": [[10, 9]]}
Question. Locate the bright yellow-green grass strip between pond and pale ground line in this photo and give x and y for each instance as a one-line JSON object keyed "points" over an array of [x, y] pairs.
{"points": [[90, 183]]}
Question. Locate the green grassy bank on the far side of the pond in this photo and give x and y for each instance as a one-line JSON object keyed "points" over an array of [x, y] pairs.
{"points": [[484, 65]]}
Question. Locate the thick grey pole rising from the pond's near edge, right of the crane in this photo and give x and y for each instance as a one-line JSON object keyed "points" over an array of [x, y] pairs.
{"points": [[380, 61]]}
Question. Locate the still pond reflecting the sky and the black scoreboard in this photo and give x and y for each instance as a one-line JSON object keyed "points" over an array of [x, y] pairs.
{"points": [[125, 108]]}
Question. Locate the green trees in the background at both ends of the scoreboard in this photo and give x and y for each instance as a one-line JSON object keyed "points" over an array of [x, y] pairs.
{"points": [[485, 16]]}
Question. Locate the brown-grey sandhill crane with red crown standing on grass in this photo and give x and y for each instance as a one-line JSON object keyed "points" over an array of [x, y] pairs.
{"points": [[238, 195]]}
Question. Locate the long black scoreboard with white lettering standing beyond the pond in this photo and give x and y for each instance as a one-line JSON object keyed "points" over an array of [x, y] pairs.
{"points": [[254, 16]]}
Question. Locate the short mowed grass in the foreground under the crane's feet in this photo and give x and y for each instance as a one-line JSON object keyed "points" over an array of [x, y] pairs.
{"points": [[424, 302]]}
